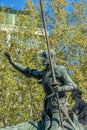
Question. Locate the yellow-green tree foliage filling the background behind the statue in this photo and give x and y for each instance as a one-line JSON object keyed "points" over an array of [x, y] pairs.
{"points": [[22, 97]]}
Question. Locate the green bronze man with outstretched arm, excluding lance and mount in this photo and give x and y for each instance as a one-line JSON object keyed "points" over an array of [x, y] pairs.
{"points": [[51, 111]]}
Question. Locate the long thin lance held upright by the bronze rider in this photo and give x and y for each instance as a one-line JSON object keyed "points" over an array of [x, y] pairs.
{"points": [[54, 83]]}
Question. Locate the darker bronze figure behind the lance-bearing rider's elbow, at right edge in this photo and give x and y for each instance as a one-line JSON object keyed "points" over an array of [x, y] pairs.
{"points": [[80, 106]]}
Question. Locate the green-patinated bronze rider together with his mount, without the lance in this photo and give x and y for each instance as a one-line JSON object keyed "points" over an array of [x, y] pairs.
{"points": [[50, 115]]}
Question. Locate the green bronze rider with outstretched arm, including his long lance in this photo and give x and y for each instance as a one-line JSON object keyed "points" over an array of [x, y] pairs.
{"points": [[56, 82]]}
